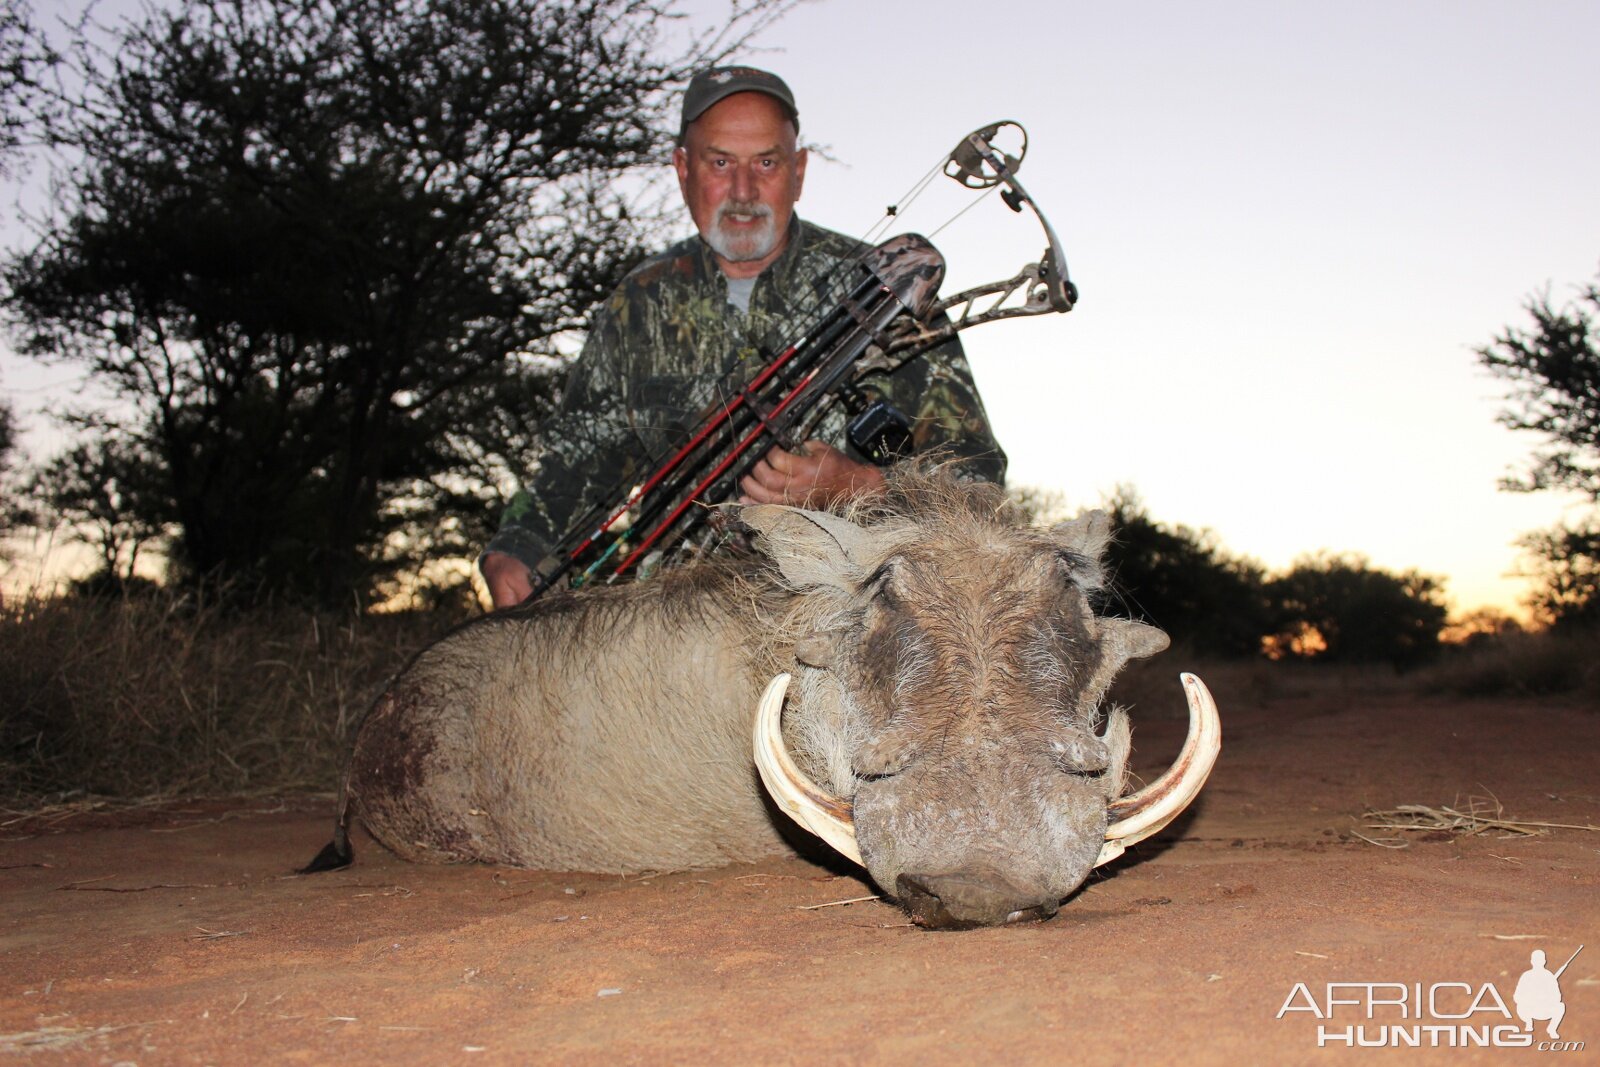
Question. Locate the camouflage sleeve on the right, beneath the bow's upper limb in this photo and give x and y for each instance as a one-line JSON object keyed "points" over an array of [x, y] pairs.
{"points": [[948, 417]]}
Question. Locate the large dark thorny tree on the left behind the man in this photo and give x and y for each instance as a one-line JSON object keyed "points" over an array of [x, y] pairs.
{"points": [[322, 252]]}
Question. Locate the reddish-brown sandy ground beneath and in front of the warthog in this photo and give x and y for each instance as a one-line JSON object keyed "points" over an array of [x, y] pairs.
{"points": [[177, 937]]}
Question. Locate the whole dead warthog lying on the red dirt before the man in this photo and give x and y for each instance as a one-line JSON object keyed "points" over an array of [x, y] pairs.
{"points": [[950, 677]]}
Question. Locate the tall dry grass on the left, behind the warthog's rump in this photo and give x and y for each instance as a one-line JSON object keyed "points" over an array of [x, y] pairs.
{"points": [[162, 695]]}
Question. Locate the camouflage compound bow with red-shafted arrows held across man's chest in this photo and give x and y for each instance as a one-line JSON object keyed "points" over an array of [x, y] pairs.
{"points": [[889, 316]]}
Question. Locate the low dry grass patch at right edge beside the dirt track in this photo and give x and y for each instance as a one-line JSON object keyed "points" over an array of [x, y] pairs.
{"points": [[1545, 663]]}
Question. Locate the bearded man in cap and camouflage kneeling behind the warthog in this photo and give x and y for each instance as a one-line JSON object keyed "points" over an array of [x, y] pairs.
{"points": [[705, 310]]}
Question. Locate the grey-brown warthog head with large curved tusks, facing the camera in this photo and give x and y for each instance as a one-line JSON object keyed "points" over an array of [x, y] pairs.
{"points": [[950, 681]]}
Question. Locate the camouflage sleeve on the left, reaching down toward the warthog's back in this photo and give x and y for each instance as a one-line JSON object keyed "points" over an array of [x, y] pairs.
{"points": [[586, 460]]}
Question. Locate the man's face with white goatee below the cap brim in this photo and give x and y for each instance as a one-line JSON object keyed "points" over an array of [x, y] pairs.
{"points": [[742, 175]]}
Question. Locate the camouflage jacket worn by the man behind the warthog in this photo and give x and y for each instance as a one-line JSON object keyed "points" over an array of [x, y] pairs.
{"points": [[663, 345]]}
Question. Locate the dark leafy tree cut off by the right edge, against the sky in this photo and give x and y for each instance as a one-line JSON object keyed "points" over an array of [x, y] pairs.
{"points": [[1554, 377]]}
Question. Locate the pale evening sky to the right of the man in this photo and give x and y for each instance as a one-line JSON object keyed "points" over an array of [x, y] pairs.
{"points": [[1290, 223]]}
